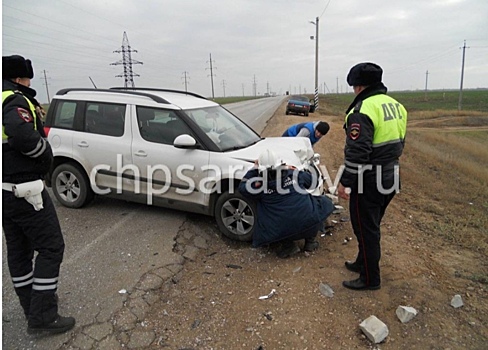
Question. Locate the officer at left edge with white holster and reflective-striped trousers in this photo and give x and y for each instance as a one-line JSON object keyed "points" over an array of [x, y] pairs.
{"points": [[29, 219]]}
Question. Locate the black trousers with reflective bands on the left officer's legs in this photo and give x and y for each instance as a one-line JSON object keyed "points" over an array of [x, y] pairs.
{"points": [[28, 231]]}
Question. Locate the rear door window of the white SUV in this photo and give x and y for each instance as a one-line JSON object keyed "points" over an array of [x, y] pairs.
{"points": [[105, 118]]}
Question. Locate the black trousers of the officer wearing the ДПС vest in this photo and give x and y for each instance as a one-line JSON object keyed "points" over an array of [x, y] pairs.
{"points": [[367, 210]]}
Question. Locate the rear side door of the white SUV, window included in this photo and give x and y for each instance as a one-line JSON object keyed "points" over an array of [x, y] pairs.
{"points": [[103, 146]]}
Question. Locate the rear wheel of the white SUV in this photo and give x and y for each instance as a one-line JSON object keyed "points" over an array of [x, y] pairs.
{"points": [[71, 186]]}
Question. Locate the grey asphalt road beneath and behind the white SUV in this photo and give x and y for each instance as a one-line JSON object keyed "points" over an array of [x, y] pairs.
{"points": [[110, 246]]}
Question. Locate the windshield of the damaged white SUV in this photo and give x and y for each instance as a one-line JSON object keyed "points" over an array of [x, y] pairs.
{"points": [[223, 128]]}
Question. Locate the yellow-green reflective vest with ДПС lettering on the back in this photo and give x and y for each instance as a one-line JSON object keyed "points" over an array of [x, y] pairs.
{"points": [[389, 118]]}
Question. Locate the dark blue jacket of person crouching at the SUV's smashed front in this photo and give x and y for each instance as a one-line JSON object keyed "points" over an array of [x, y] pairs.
{"points": [[283, 215]]}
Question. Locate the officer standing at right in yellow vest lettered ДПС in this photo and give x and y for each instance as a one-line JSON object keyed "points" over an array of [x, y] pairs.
{"points": [[375, 134]]}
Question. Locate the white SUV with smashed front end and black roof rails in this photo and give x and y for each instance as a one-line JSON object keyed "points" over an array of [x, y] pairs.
{"points": [[160, 147]]}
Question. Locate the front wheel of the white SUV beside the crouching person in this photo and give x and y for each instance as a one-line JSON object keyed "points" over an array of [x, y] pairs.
{"points": [[236, 216]]}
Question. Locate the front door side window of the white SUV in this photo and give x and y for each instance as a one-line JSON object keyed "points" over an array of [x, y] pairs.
{"points": [[160, 125]]}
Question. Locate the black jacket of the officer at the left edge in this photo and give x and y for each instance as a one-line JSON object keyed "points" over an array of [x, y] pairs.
{"points": [[27, 156]]}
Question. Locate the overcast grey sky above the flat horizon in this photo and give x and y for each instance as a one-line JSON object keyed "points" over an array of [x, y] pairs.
{"points": [[262, 41]]}
